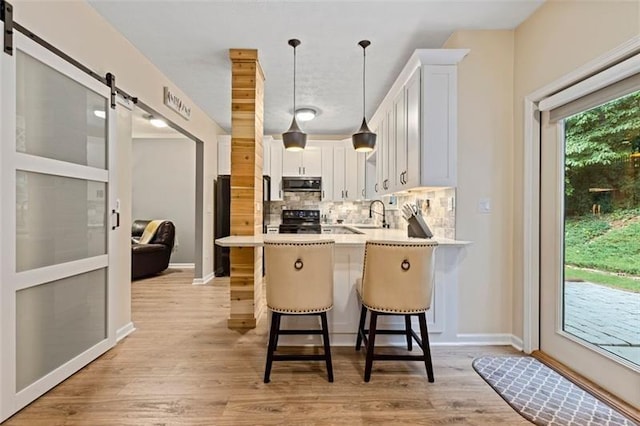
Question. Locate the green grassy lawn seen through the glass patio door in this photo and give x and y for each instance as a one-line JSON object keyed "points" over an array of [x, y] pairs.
{"points": [[608, 243]]}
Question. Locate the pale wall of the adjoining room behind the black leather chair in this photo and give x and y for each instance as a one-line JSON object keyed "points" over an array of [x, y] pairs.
{"points": [[163, 187]]}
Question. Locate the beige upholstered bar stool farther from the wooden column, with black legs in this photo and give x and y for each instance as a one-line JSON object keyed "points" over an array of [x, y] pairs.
{"points": [[397, 280]]}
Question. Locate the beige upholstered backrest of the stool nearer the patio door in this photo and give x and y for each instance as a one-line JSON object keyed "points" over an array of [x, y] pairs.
{"points": [[398, 277]]}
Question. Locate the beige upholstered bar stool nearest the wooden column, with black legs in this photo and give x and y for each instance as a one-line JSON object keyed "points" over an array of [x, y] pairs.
{"points": [[299, 282]]}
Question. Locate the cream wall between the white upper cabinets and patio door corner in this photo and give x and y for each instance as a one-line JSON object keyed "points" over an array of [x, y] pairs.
{"points": [[485, 147]]}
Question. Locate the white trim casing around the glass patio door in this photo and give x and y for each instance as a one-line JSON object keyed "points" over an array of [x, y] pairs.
{"points": [[531, 190]]}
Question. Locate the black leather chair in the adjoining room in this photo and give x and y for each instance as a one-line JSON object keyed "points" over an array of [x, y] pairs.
{"points": [[153, 257]]}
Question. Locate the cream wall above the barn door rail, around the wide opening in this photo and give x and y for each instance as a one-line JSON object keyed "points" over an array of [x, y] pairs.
{"points": [[79, 31]]}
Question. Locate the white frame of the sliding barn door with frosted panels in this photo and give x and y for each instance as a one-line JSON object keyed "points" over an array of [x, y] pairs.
{"points": [[11, 400]]}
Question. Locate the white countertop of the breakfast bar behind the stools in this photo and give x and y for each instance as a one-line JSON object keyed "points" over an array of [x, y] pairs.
{"points": [[378, 234]]}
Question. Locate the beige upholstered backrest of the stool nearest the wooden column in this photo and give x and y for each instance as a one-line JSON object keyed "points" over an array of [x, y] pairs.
{"points": [[299, 276]]}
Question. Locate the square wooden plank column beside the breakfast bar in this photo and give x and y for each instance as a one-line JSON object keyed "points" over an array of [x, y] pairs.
{"points": [[247, 110]]}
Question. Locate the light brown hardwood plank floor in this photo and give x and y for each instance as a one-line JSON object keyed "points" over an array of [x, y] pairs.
{"points": [[184, 367]]}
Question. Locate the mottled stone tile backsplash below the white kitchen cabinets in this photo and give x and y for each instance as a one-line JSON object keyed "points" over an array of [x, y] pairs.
{"points": [[438, 209]]}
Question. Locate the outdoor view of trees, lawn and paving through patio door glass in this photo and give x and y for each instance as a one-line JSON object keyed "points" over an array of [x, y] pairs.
{"points": [[602, 226]]}
